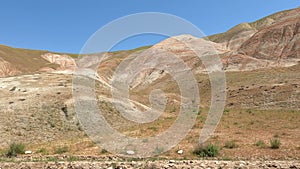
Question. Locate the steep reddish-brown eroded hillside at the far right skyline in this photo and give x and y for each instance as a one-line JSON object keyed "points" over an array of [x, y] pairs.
{"points": [[279, 42]]}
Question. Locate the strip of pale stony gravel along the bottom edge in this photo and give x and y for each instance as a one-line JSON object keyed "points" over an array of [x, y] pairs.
{"points": [[171, 164]]}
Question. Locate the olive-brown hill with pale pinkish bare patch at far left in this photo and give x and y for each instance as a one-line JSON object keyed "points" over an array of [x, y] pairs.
{"points": [[15, 61]]}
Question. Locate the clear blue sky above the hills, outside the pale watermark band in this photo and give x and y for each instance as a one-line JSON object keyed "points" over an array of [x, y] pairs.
{"points": [[66, 25]]}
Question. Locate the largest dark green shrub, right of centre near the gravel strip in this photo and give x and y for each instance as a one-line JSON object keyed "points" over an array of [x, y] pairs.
{"points": [[209, 150]]}
